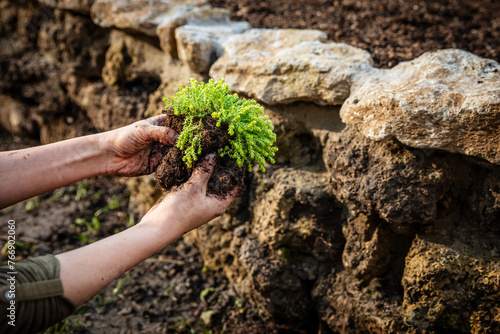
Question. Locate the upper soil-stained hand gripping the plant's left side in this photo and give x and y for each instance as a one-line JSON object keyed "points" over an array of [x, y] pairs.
{"points": [[135, 149]]}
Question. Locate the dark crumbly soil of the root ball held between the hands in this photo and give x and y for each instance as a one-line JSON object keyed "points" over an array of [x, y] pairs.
{"points": [[172, 171]]}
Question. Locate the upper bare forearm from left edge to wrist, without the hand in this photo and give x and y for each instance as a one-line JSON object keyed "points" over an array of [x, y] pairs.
{"points": [[33, 171]]}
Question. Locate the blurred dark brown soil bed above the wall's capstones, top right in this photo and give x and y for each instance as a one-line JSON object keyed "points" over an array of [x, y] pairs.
{"points": [[391, 30]]}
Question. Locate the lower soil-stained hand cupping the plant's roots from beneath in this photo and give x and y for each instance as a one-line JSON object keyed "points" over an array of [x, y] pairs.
{"points": [[189, 206]]}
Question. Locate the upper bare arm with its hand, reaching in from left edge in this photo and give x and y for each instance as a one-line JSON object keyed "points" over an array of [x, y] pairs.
{"points": [[131, 150]]}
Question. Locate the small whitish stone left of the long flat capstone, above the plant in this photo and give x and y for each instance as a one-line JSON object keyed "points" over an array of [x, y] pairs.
{"points": [[199, 42]]}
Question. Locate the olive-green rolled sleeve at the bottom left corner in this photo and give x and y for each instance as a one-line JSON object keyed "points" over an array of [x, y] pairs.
{"points": [[39, 299]]}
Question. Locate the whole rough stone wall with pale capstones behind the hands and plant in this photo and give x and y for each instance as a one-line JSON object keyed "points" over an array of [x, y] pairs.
{"points": [[382, 213]]}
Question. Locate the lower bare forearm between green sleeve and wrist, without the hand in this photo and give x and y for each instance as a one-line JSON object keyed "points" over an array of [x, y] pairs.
{"points": [[88, 270]]}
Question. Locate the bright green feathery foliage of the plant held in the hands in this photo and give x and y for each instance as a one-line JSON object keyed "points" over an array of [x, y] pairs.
{"points": [[251, 135]]}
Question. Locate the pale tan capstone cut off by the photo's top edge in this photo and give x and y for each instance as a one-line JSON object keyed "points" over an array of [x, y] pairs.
{"points": [[140, 16]]}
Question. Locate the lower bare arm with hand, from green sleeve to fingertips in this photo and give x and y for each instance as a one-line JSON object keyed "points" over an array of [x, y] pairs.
{"points": [[87, 270]]}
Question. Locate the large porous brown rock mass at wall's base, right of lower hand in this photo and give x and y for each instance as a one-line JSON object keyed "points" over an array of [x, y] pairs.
{"points": [[273, 253]]}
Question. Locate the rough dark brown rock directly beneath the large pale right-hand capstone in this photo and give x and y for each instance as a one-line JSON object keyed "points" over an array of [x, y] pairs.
{"points": [[400, 185]]}
